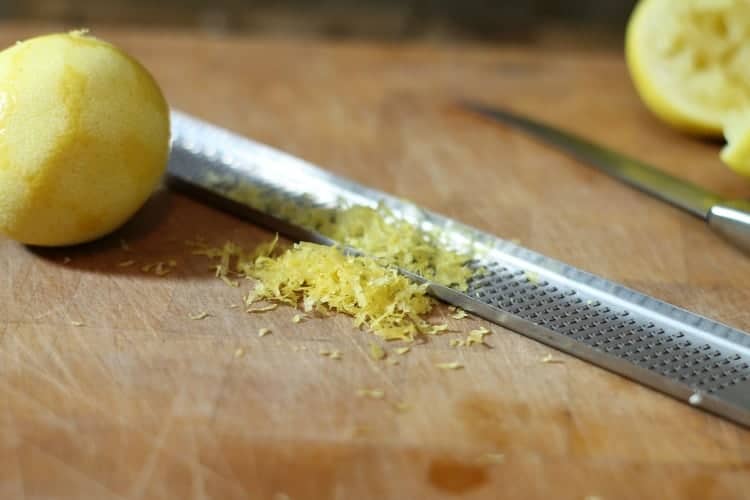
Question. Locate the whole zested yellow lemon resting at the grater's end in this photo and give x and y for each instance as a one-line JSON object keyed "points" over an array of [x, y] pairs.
{"points": [[84, 138]]}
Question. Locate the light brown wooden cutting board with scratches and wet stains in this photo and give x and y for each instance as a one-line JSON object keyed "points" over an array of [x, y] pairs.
{"points": [[142, 402]]}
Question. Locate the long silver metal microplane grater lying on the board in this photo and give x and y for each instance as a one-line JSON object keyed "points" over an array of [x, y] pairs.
{"points": [[690, 357]]}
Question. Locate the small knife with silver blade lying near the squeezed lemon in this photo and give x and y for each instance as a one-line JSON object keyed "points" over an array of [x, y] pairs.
{"points": [[729, 218]]}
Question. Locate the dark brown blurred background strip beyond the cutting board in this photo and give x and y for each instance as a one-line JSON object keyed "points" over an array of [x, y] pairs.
{"points": [[583, 23]]}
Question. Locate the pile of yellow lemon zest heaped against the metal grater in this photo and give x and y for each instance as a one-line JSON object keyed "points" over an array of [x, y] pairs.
{"points": [[322, 278]]}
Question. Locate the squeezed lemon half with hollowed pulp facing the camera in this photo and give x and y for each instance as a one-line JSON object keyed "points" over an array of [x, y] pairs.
{"points": [[690, 60]]}
